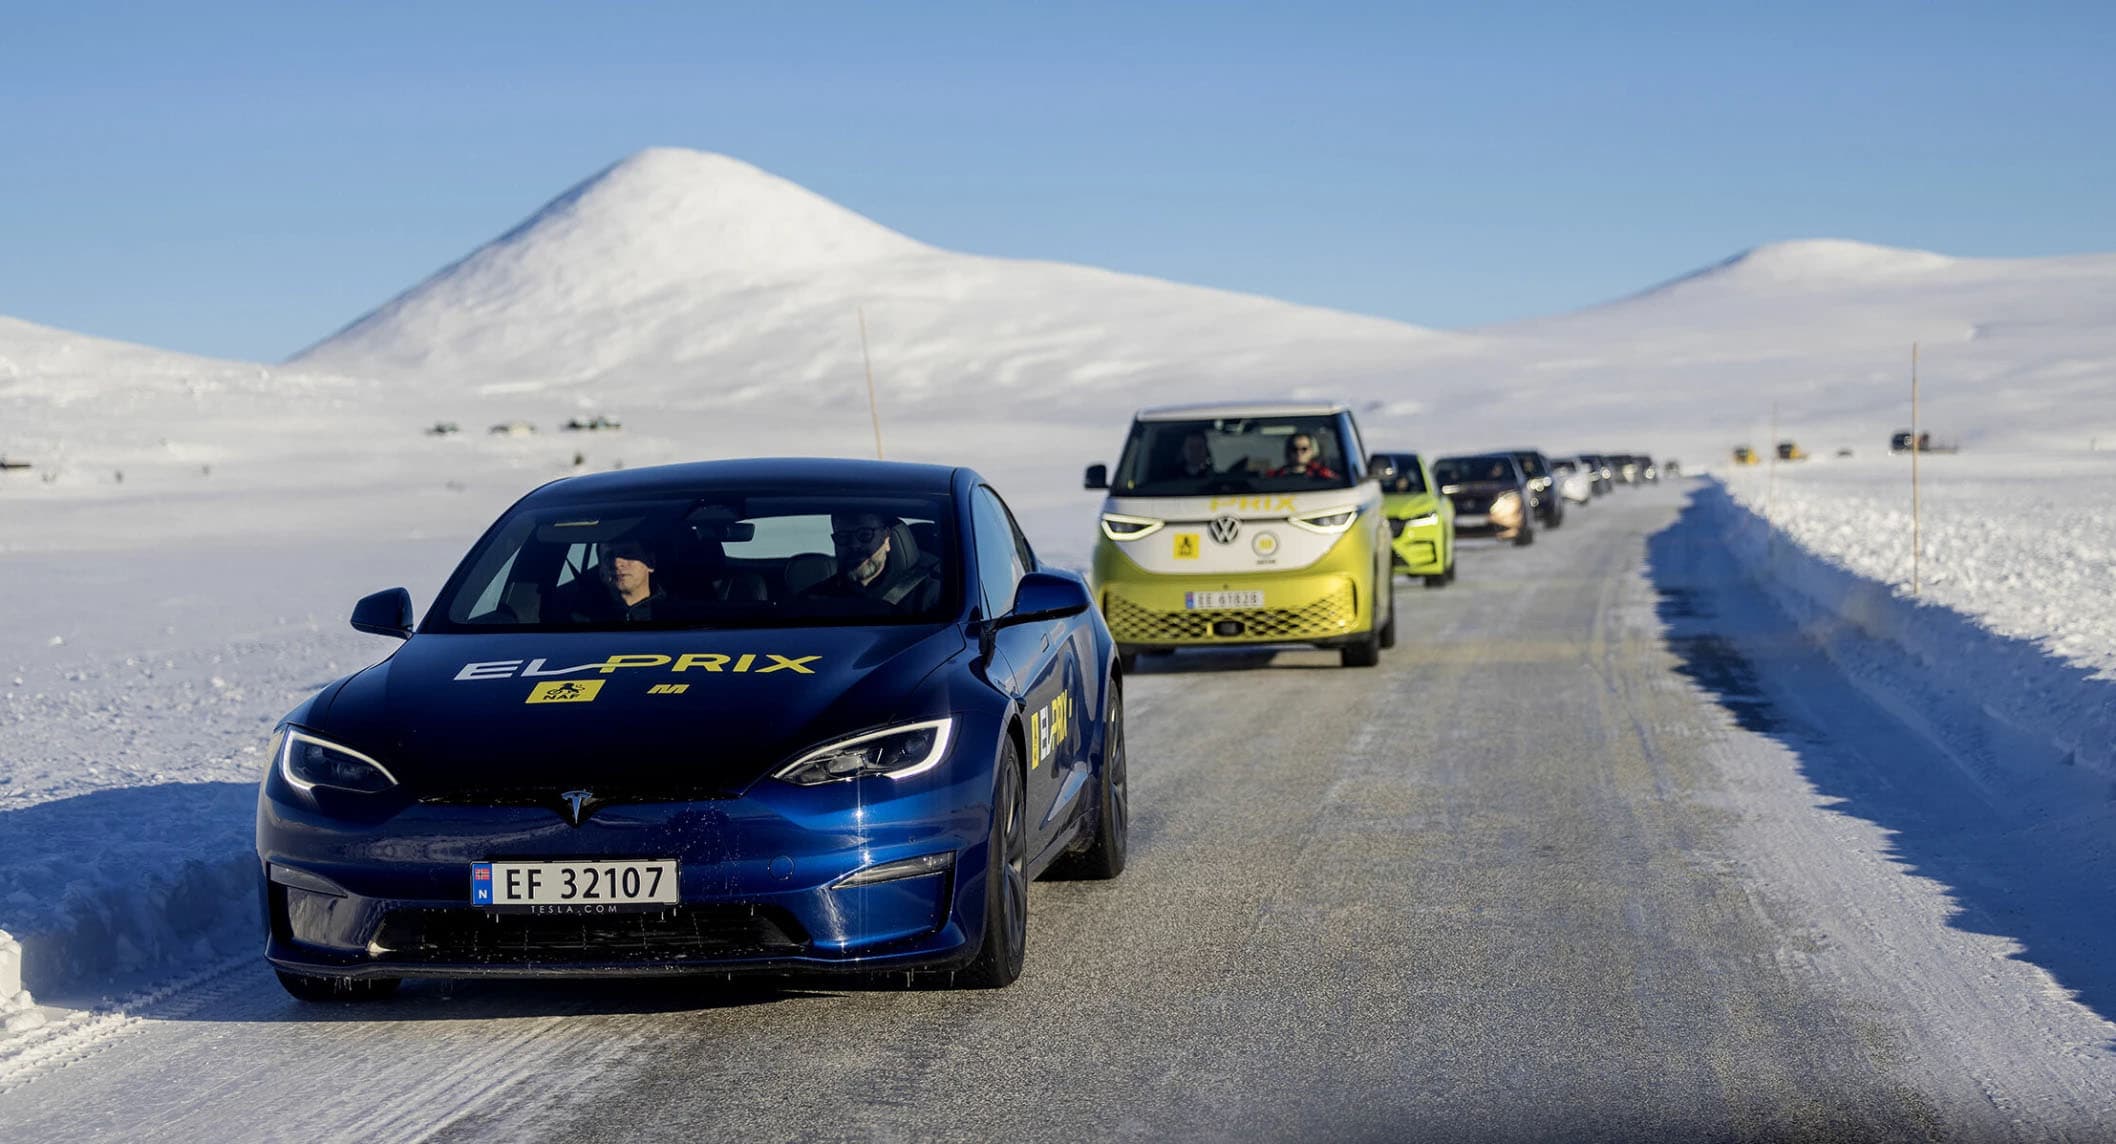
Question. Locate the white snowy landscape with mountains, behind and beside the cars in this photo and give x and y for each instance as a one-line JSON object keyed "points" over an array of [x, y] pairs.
{"points": [[191, 534]]}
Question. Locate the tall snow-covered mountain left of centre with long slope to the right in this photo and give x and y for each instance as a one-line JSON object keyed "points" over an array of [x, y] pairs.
{"points": [[691, 280]]}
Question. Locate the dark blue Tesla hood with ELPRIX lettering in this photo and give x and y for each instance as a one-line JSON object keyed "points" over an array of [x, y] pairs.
{"points": [[659, 714]]}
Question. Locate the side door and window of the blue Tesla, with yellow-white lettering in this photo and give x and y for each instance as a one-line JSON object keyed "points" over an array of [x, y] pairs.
{"points": [[1040, 669]]}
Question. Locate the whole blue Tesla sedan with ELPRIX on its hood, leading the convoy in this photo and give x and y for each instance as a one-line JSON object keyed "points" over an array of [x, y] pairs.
{"points": [[735, 716]]}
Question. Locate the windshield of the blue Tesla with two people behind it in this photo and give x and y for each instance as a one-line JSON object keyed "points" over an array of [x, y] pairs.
{"points": [[710, 561]]}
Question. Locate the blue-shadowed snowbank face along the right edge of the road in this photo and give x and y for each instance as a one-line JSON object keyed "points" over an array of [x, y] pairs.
{"points": [[2011, 680]]}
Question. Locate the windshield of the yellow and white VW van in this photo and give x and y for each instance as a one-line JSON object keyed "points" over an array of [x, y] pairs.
{"points": [[1233, 456]]}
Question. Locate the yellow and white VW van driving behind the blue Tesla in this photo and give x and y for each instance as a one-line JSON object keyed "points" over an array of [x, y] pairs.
{"points": [[1243, 525]]}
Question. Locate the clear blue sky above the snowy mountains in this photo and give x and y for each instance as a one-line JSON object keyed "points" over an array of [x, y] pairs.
{"points": [[247, 179]]}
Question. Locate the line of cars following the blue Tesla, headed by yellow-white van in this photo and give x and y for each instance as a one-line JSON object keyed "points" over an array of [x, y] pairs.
{"points": [[1271, 523]]}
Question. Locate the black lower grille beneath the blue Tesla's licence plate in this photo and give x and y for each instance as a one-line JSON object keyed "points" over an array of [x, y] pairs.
{"points": [[676, 934]]}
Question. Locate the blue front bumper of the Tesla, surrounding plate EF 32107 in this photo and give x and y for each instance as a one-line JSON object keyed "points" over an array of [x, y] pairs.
{"points": [[756, 883]]}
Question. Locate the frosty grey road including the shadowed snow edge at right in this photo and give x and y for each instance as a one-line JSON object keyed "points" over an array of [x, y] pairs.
{"points": [[1601, 851]]}
